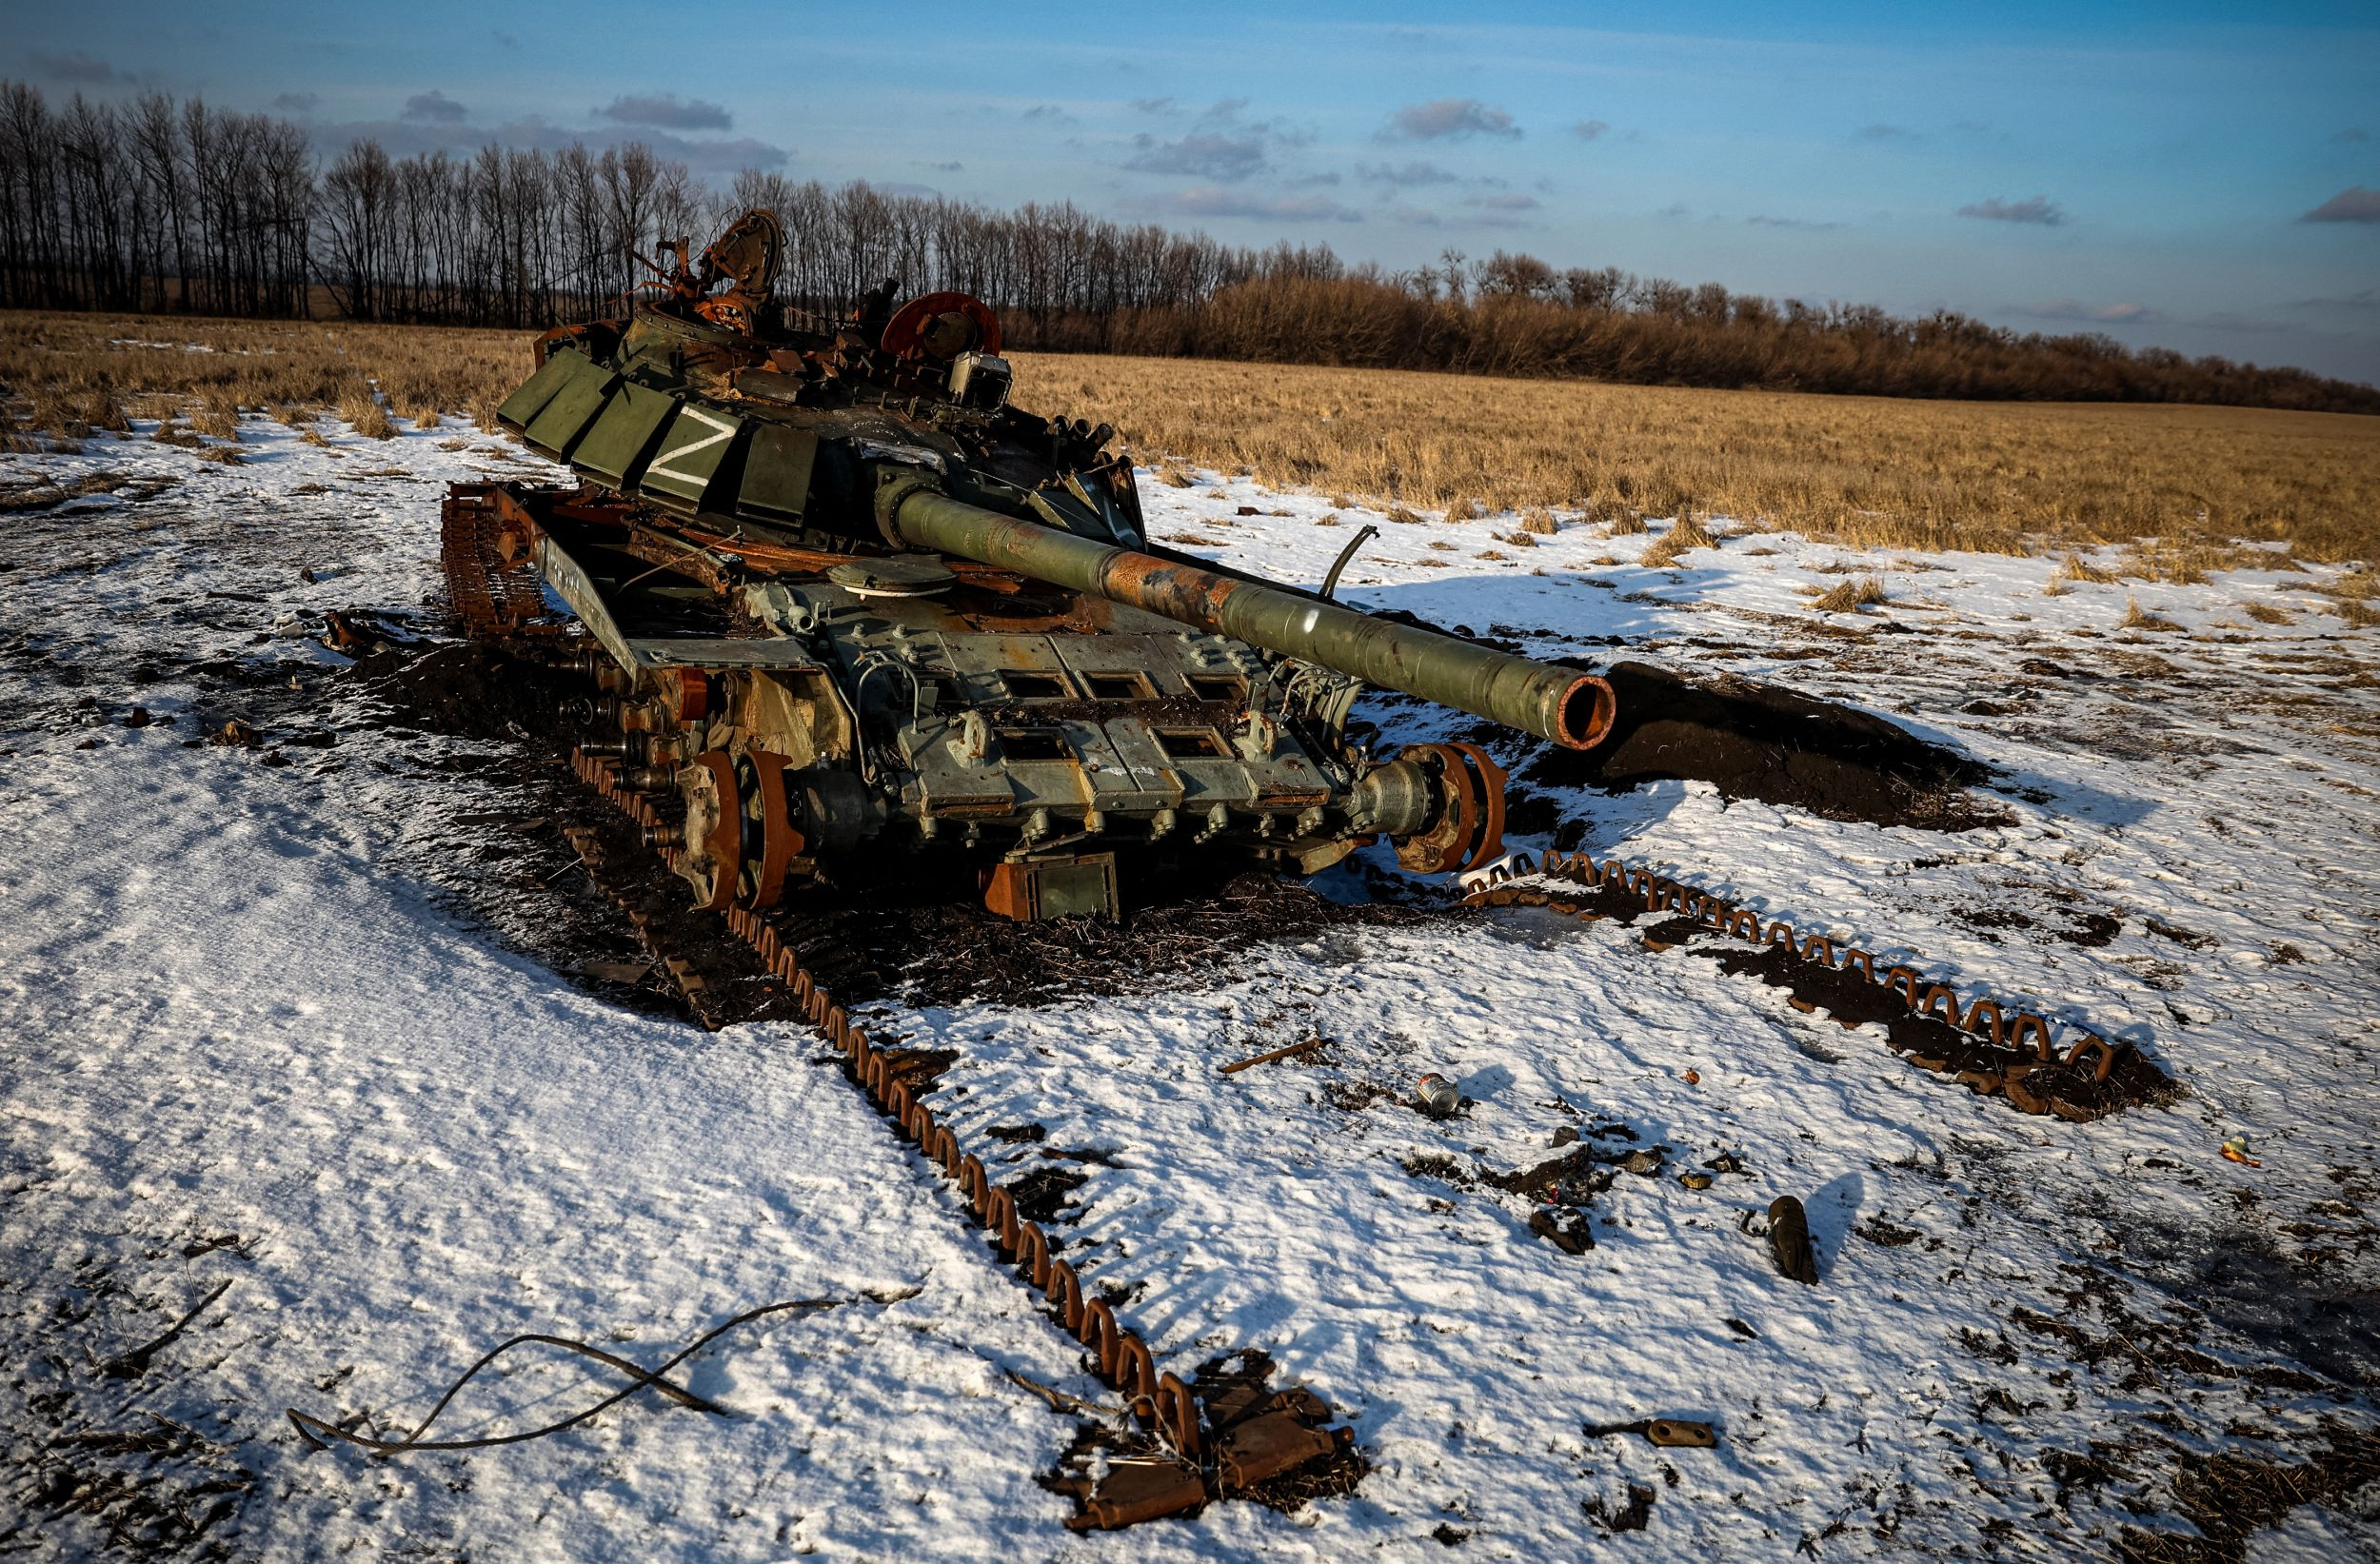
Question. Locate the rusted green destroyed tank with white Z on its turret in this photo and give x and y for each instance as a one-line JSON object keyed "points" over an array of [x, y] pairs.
{"points": [[846, 611]]}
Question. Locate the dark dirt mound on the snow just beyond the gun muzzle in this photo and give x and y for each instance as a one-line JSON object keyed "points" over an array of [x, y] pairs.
{"points": [[1760, 742]]}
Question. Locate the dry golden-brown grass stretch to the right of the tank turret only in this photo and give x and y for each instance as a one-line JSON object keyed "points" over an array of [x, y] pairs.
{"points": [[2008, 477]]}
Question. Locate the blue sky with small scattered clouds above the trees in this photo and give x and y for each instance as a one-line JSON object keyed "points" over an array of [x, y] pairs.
{"points": [[2184, 175]]}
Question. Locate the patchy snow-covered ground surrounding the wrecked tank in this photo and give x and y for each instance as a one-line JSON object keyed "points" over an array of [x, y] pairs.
{"points": [[251, 1037]]}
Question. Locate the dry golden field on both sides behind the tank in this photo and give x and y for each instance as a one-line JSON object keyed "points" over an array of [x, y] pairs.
{"points": [[2000, 477]]}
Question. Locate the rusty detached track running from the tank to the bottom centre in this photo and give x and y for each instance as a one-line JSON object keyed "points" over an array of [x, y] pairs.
{"points": [[1191, 1449]]}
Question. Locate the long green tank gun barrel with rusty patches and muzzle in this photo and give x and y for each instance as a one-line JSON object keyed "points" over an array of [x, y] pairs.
{"points": [[1555, 703]]}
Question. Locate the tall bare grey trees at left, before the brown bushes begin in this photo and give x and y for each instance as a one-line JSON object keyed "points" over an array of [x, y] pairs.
{"points": [[161, 206]]}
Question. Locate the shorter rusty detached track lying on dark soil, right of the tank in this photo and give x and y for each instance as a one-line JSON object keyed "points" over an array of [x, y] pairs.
{"points": [[1988, 1046]]}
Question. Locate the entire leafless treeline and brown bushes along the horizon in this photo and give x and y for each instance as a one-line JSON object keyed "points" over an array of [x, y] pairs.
{"points": [[161, 206]]}
